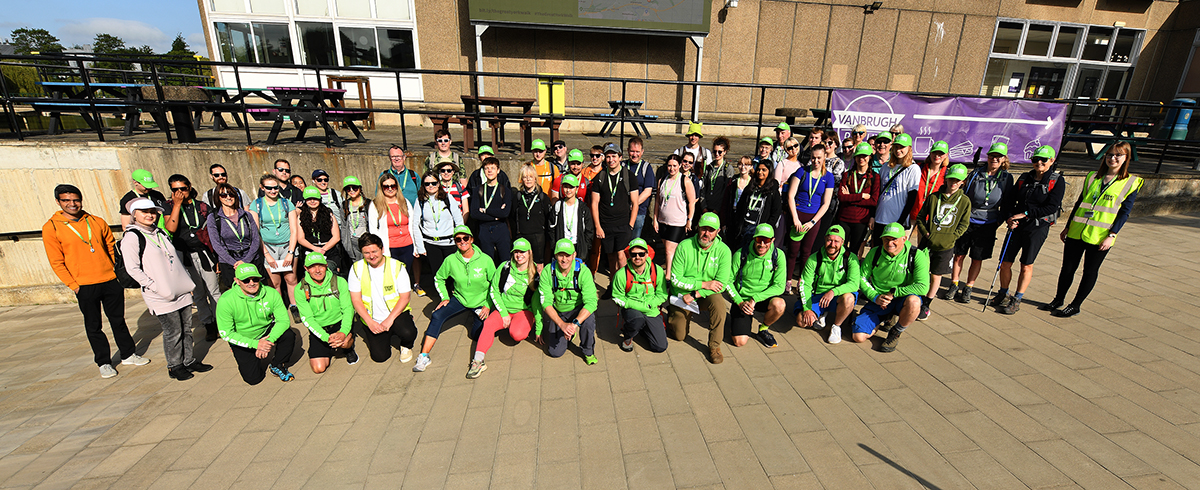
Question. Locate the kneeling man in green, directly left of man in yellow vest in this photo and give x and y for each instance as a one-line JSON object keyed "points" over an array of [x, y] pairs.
{"points": [[327, 312]]}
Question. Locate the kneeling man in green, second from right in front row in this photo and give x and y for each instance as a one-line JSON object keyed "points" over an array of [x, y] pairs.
{"points": [[830, 279]]}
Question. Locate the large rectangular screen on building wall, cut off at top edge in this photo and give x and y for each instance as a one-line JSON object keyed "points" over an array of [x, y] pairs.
{"points": [[665, 16]]}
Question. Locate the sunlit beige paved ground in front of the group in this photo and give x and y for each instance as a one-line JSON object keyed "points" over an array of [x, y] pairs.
{"points": [[1109, 399]]}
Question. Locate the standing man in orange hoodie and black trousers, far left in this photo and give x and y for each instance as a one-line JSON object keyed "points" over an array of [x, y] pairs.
{"points": [[80, 248]]}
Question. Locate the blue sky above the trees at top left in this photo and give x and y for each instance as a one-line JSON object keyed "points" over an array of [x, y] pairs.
{"points": [[137, 22]]}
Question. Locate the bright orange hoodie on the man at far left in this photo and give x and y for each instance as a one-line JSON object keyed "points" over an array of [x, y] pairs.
{"points": [[71, 258]]}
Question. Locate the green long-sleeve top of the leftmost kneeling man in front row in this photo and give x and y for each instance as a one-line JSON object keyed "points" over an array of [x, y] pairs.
{"points": [[244, 320]]}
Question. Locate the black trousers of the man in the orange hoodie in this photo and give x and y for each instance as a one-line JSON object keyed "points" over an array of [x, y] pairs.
{"points": [[111, 297]]}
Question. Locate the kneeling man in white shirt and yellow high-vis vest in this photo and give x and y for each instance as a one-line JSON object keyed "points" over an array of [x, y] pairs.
{"points": [[380, 291]]}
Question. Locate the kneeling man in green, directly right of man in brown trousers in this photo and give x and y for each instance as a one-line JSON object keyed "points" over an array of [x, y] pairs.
{"points": [[758, 286]]}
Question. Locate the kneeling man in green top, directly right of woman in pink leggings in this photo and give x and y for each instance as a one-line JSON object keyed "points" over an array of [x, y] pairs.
{"points": [[568, 291]]}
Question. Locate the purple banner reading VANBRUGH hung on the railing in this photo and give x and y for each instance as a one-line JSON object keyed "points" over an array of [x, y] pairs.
{"points": [[964, 123]]}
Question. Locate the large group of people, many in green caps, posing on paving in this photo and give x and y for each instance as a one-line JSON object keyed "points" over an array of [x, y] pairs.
{"points": [[825, 222]]}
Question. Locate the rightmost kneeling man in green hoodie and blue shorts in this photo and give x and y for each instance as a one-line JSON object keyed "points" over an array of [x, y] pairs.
{"points": [[896, 274]]}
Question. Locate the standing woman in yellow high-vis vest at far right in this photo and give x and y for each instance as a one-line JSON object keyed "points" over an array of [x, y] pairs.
{"points": [[1101, 212]]}
